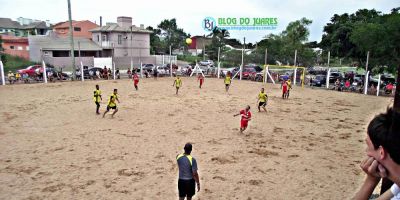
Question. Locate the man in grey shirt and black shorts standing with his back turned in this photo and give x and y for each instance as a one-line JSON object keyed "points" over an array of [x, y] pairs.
{"points": [[188, 176]]}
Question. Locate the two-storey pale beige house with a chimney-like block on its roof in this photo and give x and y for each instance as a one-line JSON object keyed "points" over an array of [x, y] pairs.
{"points": [[123, 38]]}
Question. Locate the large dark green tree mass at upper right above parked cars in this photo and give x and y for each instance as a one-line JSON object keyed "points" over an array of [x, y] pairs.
{"points": [[352, 36]]}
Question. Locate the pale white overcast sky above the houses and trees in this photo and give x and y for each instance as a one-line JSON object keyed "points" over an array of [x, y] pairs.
{"points": [[190, 13]]}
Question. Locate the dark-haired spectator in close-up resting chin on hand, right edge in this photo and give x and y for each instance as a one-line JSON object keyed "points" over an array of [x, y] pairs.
{"points": [[383, 155]]}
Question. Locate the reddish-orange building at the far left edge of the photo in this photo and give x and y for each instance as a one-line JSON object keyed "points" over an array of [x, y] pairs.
{"points": [[16, 46]]}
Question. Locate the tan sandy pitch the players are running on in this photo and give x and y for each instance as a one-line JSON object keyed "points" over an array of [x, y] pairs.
{"points": [[54, 146]]}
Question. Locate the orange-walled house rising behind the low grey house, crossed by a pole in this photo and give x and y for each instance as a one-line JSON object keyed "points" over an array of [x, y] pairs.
{"points": [[81, 28]]}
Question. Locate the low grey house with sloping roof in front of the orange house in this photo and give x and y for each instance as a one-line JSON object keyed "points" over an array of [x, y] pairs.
{"points": [[55, 50]]}
